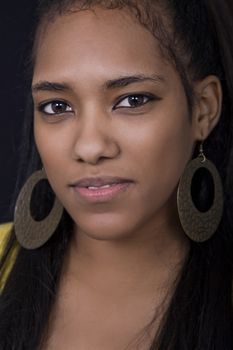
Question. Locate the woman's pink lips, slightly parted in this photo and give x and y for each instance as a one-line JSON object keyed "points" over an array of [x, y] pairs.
{"points": [[114, 187]]}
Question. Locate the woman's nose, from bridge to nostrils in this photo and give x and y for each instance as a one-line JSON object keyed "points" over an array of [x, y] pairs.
{"points": [[94, 141]]}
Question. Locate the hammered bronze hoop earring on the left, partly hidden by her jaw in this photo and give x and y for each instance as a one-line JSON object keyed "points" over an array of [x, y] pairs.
{"points": [[30, 233]]}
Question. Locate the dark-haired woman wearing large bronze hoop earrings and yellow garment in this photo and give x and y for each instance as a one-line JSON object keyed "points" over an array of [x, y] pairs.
{"points": [[132, 109]]}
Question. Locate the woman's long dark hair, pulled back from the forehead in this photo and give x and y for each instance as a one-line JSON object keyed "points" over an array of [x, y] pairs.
{"points": [[195, 36]]}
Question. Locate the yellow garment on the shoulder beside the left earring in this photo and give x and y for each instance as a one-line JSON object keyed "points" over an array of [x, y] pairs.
{"points": [[5, 231]]}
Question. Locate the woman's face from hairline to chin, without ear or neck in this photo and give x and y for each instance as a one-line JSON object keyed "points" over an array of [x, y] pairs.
{"points": [[107, 104]]}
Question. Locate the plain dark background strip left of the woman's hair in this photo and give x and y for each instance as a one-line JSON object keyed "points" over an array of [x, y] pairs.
{"points": [[16, 21]]}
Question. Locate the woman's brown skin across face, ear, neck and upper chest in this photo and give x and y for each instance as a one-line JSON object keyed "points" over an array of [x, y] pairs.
{"points": [[126, 253]]}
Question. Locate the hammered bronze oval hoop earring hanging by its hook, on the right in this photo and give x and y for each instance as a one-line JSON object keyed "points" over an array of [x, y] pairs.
{"points": [[199, 224]]}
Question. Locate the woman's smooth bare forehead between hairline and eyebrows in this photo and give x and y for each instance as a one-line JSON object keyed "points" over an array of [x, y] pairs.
{"points": [[98, 40]]}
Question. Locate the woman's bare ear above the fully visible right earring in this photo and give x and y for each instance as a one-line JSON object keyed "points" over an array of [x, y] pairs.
{"points": [[207, 108]]}
